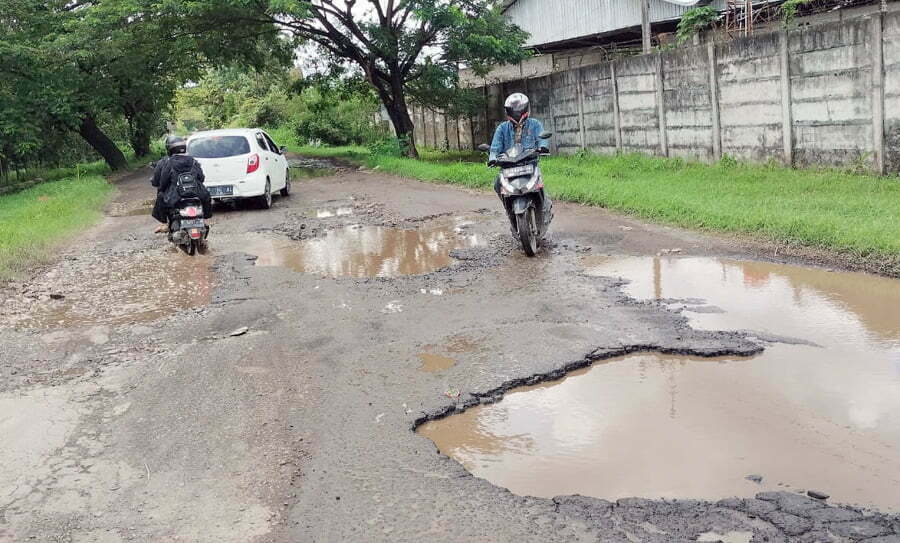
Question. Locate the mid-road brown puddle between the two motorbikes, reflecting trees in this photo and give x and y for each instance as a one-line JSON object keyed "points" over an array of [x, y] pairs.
{"points": [[365, 251]]}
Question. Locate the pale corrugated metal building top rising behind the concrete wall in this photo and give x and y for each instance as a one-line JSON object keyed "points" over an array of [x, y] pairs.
{"points": [[562, 20]]}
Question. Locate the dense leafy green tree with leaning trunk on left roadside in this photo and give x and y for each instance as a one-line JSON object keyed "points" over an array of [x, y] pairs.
{"points": [[84, 62]]}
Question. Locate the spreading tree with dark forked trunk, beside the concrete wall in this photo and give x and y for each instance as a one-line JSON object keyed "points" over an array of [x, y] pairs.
{"points": [[404, 48]]}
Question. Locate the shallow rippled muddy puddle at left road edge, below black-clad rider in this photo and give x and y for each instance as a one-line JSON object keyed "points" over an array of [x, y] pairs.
{"points": [[123, 291]]}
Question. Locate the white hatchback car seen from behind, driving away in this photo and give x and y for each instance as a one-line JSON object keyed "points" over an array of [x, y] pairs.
{"points": [[241, 163]]}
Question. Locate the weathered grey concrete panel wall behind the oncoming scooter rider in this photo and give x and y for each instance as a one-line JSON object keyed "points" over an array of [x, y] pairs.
{"points": [[824, 95]]}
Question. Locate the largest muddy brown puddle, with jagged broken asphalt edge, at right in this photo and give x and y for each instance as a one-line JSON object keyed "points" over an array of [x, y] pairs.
{"points": [[650, 425]]}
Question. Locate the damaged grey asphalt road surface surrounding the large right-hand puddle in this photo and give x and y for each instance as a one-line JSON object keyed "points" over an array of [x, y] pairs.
{"points": [[137, 413]]}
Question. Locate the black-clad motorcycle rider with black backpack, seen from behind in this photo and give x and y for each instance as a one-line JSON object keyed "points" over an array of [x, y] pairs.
{"points": [[176, 177]]}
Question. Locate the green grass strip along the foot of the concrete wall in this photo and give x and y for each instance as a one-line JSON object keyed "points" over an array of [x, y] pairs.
{"points": [[855, 215]]}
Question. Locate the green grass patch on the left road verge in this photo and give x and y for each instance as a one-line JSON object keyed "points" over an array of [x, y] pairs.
{"points": [[35, 220]]}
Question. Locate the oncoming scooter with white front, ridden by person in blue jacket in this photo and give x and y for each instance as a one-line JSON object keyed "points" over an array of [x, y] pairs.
{"points": [[528, 207]]}
